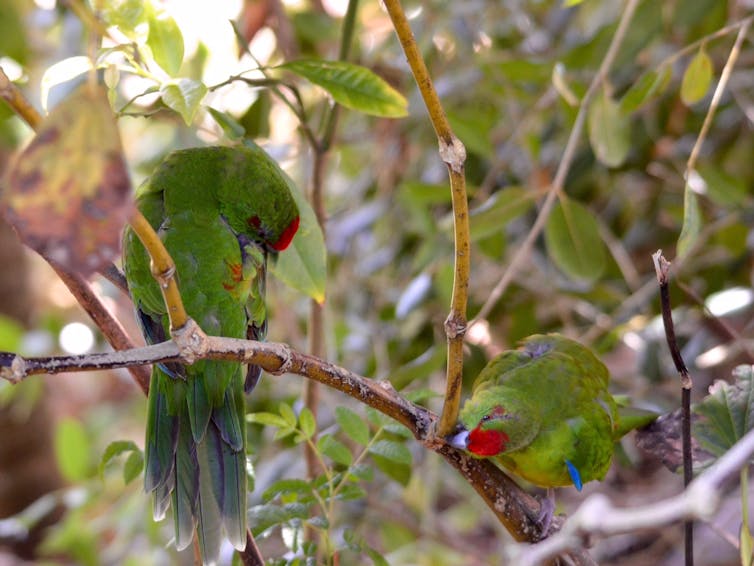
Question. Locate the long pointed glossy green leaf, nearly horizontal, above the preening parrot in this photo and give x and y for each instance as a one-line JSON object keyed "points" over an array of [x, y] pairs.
{"points": [[353, 86]]}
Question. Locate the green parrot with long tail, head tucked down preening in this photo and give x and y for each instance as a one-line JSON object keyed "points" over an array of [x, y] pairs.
{"points": [[221, 213]]}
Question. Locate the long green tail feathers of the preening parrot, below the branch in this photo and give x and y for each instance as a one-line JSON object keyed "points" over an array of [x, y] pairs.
{"points": [[205, 480]]}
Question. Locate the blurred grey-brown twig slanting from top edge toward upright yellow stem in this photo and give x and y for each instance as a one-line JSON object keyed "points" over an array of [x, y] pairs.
{"points": [[563, 167]]}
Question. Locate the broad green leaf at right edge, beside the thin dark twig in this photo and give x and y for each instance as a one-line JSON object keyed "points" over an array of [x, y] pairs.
{"points": [[727, 413]]}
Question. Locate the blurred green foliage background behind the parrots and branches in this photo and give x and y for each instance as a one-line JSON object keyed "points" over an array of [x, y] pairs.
{"points": [[510, 75]]}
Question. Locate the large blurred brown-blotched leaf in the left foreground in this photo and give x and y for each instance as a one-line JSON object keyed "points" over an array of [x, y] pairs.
{"points": [[68, 194]]}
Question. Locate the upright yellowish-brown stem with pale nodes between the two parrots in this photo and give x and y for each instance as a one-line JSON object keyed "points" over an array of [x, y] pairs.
{"points": [[453, 154]]}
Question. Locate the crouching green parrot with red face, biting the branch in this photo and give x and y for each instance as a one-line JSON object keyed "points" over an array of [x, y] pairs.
{"points": [[544, 412]]}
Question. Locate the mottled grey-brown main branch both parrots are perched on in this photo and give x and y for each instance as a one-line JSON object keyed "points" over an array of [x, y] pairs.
{"points": [[516, 510]]}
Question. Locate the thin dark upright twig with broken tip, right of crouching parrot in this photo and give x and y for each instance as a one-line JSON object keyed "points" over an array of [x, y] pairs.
{"points": [[662, 268]]}
